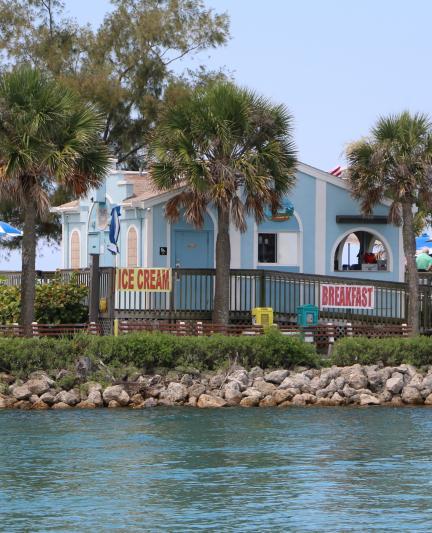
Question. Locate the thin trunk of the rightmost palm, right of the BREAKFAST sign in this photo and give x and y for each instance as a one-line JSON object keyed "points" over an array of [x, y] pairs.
{"points": [[413, 278]]}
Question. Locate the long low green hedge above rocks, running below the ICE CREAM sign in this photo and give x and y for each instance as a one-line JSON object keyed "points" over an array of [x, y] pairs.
{"points": [[151, 350]]}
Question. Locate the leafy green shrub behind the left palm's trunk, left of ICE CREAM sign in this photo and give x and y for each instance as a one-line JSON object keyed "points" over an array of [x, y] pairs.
{"points": [[55, 303]]}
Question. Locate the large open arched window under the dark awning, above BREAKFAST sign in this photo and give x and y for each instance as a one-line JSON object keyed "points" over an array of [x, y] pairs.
{"points": [[361, 250]]}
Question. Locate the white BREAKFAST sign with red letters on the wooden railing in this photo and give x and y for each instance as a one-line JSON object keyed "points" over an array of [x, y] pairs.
{"points": [[347, 296]]}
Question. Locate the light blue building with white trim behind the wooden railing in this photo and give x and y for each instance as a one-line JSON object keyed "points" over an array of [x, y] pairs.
{"points": [[324, 232]]}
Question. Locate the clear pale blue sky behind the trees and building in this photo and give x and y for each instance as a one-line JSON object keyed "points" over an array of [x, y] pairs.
{"points": [[336, 64]]}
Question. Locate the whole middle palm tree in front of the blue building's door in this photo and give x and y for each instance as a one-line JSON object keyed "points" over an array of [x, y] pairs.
{"points": [[226, 146]]}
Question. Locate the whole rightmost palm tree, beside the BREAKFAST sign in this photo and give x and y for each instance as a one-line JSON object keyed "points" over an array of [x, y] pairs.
{"points": [[395, 163]]}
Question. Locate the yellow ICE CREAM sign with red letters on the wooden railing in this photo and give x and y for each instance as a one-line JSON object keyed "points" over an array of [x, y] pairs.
{"points": [[144, 279]]}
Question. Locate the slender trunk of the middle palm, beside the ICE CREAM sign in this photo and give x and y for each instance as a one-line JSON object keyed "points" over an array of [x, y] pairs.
{"points": [[223, 260]]}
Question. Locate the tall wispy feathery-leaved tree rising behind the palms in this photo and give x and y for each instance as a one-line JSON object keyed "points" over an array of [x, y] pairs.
{"points": [[124, 66]]}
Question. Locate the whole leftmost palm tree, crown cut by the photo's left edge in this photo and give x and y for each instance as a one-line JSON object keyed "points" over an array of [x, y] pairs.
{"points": [[47, 137]]}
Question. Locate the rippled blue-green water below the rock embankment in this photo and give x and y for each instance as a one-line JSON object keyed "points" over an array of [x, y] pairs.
{"points": [[296, 469]]}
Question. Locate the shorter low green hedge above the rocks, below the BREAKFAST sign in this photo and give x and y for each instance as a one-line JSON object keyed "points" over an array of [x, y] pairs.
{"points": [[391, 352]]}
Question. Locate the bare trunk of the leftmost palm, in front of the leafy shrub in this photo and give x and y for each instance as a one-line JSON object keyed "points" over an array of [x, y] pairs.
{"points": [[28, 269]]}
